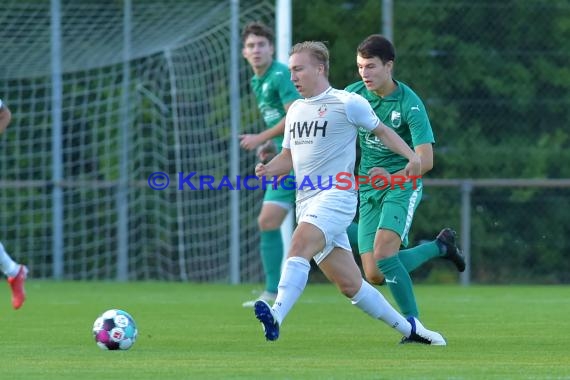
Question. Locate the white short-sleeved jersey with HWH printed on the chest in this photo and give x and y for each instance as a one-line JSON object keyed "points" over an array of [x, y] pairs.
{"points": [[321, 132]]}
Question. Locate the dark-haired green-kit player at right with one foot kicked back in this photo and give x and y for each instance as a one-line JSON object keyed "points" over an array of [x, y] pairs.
{"points": [[386, 215]]}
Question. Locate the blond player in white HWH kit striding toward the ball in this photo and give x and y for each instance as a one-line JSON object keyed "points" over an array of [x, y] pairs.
{"points": [[320, 143]]}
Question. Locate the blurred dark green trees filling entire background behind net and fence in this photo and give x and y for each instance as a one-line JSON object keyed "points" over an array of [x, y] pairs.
{"points": [[494, 77]]}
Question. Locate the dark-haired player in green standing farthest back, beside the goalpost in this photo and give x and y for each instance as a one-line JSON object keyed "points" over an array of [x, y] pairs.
{"points": [[274, 93]]}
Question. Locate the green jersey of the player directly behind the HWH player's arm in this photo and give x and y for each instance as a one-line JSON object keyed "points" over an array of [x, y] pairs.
{"points": [[404, 112]]}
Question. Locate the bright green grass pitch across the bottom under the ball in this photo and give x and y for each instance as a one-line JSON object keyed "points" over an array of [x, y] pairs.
{"points": [[189, 331]]}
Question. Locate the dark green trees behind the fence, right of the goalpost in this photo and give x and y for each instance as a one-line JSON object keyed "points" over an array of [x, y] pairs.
{"points": [[495, 79]]}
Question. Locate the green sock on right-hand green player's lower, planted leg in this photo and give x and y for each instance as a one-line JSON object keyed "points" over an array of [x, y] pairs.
{"points": [[400, 284]]}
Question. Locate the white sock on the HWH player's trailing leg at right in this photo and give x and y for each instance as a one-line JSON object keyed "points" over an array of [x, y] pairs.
{"points": [[373, 303]]}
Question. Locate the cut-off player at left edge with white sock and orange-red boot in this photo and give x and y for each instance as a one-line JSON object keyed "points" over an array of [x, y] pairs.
{"points": [[15, 272]]}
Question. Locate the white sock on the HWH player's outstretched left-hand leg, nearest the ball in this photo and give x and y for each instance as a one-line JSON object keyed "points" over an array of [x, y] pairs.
{"points": [[291, 285]]}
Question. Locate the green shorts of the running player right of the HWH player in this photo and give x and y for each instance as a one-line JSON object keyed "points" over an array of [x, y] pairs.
{"points": [[391, 209]]}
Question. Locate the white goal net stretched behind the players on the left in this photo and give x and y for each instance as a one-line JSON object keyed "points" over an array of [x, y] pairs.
{"points": [[75, 201]]}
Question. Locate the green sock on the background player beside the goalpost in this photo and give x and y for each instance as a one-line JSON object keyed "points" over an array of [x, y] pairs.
{"points": [[271, 258]]}
